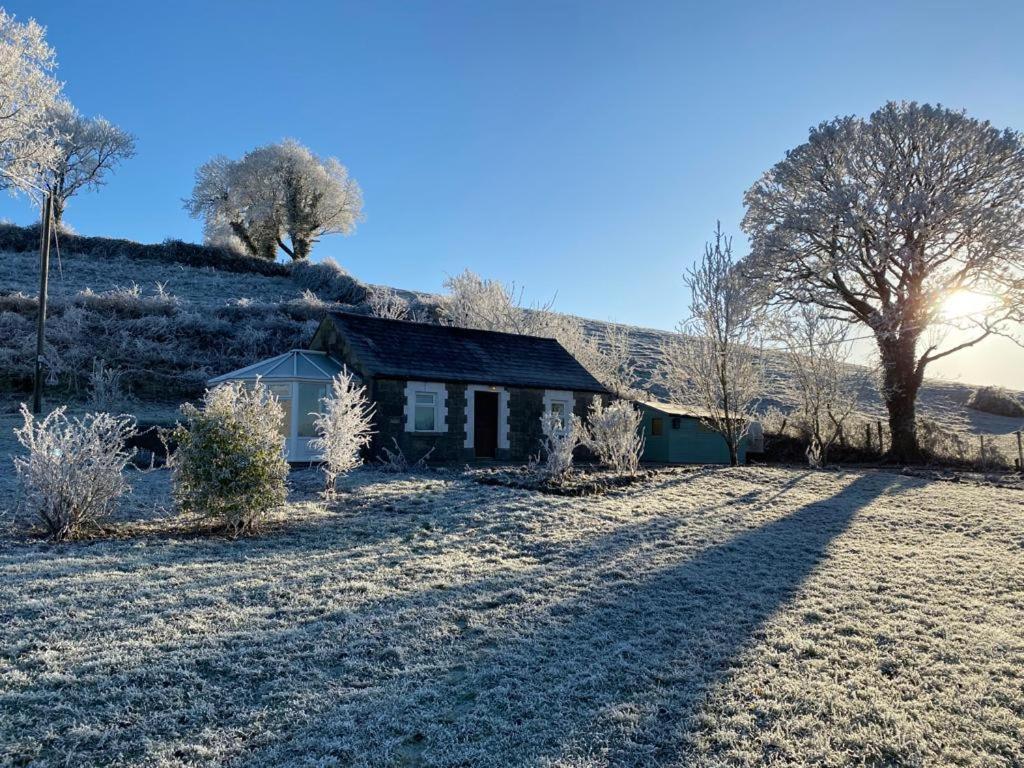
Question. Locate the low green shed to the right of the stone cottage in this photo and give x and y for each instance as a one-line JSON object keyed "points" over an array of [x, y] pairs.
{"points": [[675, 435]]}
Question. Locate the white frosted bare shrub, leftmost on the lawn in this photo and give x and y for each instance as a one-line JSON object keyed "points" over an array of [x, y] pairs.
{"points": [[72, 478]]}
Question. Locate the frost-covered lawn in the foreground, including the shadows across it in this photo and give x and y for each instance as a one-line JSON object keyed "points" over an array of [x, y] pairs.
{"points": [[707, 618]]}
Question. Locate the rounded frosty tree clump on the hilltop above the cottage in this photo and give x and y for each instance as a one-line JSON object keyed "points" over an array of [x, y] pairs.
{"points": [[275, 194]]}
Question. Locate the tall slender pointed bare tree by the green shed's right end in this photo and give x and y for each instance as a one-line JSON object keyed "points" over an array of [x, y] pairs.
{"points": [[715, 362]]}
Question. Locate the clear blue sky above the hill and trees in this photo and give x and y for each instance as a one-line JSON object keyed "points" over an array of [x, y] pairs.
{"points": [[585, 149]]}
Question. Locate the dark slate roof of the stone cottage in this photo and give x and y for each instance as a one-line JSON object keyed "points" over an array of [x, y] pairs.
{"points": [[400, 350]]}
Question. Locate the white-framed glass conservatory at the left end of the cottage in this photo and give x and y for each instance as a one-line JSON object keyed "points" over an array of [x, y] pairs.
{"points": [[300, 379]]}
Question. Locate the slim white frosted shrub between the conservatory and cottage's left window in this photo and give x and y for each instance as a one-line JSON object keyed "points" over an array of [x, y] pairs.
{"points": [[344, 429]]}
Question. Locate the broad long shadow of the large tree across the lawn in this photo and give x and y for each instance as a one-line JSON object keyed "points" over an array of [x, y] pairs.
{"points": [[618, 671]]}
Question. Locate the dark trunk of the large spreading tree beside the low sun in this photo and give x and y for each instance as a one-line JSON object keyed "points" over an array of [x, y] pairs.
{"points": [[901, 381]]}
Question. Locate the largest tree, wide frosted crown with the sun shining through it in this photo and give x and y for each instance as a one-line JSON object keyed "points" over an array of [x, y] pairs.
{"points": [[879, 222]]}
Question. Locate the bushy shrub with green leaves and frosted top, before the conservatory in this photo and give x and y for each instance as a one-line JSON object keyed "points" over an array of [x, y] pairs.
{"points": [[230, 464]]}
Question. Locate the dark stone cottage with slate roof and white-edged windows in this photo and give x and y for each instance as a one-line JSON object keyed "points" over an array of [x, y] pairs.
{"points": [[464, 394]]}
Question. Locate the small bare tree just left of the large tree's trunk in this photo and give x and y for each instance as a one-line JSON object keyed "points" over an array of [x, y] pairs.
{"points": [[822, 381]]}
